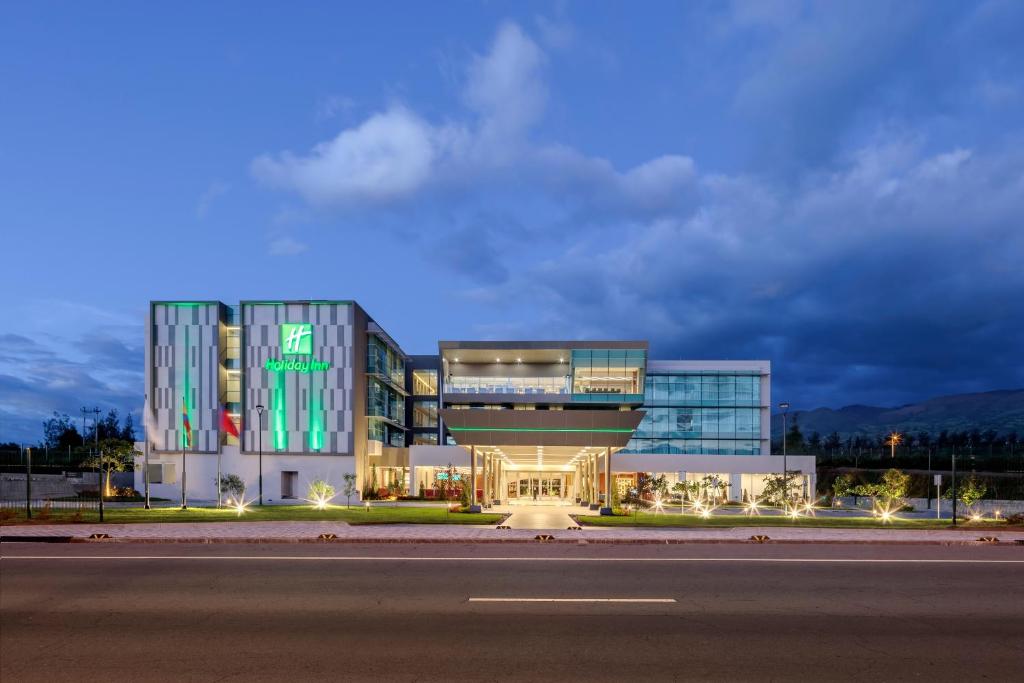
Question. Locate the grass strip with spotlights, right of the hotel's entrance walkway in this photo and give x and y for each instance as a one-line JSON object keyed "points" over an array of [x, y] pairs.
{"points": [[649, 520]]}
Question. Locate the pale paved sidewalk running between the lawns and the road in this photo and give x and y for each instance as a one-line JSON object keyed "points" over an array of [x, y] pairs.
{"points": [[285, 532]]}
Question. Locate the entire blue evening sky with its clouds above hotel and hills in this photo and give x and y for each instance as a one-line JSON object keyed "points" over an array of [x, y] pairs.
{"points": [[838, 188]]}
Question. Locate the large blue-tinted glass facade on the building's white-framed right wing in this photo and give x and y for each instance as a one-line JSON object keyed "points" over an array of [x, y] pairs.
{"points": [[701, 414]]}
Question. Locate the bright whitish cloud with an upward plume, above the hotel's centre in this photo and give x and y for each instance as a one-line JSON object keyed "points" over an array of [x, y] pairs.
{"points": [[397, 156]]}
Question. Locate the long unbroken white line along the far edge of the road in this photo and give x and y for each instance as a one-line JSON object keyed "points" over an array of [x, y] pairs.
{"points": [[360, 559]]}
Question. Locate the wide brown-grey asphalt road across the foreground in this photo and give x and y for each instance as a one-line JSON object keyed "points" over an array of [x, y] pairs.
{"points": [[303, 613]]}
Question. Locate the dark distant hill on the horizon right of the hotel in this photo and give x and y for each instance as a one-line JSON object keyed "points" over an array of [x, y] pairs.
{"points": [[1002, 411]]}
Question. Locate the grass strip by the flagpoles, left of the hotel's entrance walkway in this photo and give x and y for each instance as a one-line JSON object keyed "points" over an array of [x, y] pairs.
{"points": [[355, 516]]}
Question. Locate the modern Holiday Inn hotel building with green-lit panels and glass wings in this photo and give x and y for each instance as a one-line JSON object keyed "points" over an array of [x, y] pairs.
{"points": [[319, 391]]}
